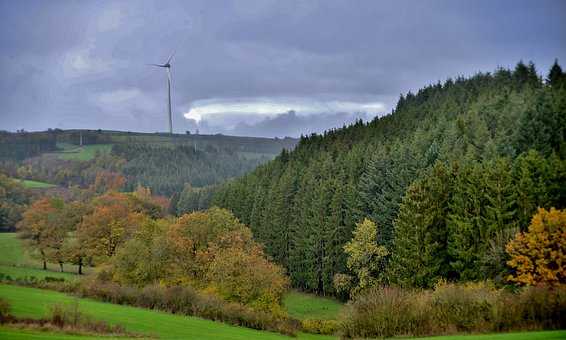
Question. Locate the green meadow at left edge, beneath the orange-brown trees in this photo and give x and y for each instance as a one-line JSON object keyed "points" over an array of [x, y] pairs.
{"points": [[16, 263]]}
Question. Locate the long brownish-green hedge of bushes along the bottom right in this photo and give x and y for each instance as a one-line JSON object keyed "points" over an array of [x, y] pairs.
{"points": [[453, 308]]}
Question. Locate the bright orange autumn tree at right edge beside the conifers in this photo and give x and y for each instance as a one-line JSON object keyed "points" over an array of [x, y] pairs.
{"points": [[539, 254]]}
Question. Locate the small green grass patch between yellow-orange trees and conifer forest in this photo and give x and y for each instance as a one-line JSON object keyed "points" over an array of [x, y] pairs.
{"points": [[309, 306]]}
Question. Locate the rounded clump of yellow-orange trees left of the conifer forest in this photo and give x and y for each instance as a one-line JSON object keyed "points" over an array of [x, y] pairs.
{"points": [[210, 250]]}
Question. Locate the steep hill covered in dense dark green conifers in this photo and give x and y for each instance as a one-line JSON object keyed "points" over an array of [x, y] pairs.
{"points": [[448, 178]]}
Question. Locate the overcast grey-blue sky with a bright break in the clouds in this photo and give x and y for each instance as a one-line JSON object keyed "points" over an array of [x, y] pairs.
{"points": [[240, 66]]}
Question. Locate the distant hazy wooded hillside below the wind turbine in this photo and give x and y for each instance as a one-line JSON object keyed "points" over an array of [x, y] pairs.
{"points": [[161, 162]]}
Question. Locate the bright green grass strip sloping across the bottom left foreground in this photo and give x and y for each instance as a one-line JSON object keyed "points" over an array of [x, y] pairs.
{"points": [[34, 303]]}
